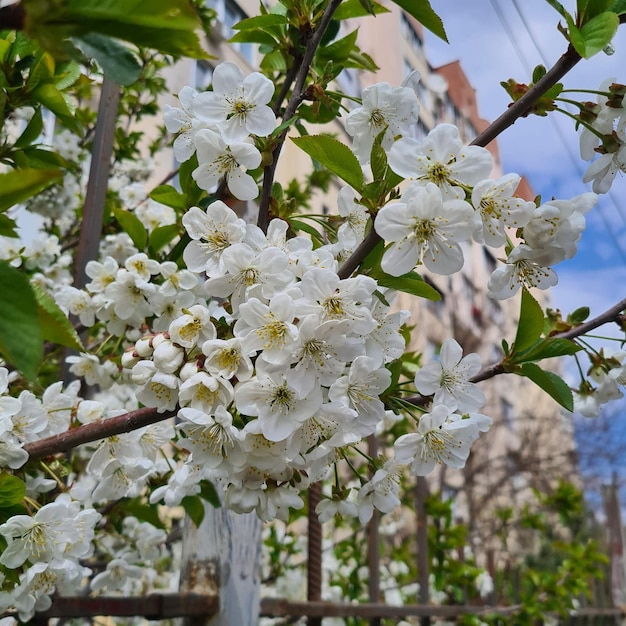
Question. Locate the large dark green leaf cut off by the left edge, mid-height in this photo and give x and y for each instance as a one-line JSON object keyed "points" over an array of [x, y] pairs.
{"points": [[21, 342]]}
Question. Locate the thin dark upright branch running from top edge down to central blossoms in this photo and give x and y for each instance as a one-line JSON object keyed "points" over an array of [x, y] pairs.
{"points": [[296, 98]]}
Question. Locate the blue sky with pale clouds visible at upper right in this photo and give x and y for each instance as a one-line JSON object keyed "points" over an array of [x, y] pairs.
{"points": [[545, 150]]}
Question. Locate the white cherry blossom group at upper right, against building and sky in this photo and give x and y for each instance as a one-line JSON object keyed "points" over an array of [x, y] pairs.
{"points": [[450, 199]]}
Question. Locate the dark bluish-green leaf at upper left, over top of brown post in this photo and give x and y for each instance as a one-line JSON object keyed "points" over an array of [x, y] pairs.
{"points": [[117, 61]]}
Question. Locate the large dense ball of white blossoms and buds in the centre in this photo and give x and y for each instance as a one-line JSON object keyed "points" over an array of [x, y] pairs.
{"points": [[265, 405]]}
